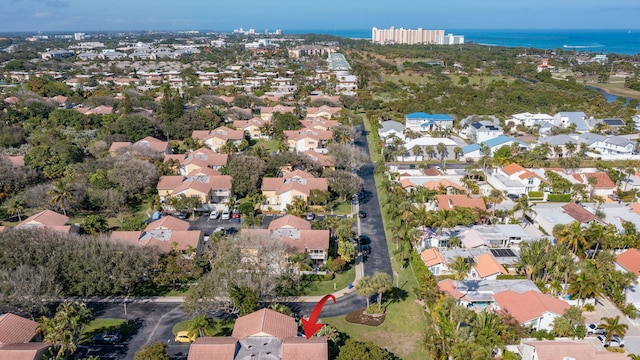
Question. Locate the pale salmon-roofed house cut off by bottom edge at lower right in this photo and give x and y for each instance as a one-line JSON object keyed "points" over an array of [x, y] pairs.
{"points": [[565, 350]]}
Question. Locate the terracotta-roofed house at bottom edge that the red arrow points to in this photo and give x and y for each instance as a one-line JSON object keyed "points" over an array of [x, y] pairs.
{"points": [[264, 334]]}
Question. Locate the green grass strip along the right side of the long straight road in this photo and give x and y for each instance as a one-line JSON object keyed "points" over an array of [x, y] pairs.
{"points": [[402, 331]]}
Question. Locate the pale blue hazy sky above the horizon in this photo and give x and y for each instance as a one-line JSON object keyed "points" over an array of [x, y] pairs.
{"points": [[134, 15]]}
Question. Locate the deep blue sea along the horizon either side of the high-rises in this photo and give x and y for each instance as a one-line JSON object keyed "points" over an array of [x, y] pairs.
{"points": [[621, 41]]}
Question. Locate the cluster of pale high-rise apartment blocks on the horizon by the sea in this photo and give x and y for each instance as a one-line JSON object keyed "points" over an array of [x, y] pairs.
{"points": [[419, 36]]}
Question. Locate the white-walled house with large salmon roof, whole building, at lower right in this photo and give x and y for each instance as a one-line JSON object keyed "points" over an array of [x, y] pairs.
{"points": [[530, 308]]}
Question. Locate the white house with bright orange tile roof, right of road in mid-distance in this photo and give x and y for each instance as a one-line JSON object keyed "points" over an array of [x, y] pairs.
{"points": [[514, 179]]}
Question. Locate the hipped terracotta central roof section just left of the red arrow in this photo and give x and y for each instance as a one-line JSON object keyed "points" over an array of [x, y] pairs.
{"points": [[265, 322]]}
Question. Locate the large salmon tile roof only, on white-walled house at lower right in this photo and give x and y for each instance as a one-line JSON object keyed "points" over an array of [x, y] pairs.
{"points": [[529, 305]]}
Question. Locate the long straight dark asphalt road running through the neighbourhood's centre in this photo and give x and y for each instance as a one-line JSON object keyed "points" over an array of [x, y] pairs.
{"points": [[378, 260]]}
